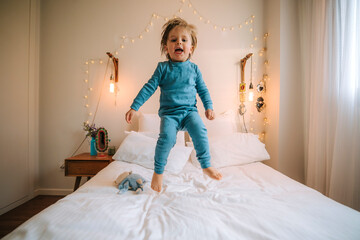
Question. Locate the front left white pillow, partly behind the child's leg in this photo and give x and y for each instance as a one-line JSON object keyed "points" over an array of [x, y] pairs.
{"points": [[140, 149]]}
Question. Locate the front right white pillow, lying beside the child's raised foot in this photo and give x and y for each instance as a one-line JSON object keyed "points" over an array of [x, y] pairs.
{"points": [[234, 149]]}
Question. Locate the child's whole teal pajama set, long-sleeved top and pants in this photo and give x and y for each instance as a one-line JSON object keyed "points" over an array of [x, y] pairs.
{"points": [[179, 83]]}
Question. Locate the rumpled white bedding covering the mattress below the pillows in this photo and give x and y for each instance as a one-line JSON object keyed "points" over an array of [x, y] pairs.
{"points": [[251, 202]]}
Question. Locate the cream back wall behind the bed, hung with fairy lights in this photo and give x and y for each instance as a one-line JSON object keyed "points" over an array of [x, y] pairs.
{"points": [[73, 32]]}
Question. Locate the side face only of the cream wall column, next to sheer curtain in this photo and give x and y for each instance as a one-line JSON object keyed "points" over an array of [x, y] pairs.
{"points": [[291, 158]]}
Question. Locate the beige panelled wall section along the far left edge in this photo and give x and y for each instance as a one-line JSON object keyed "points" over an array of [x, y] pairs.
{"points": [[18, 102]]}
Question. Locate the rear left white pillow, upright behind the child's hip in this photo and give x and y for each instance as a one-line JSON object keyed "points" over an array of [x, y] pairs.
{"points": [[150, 123]]}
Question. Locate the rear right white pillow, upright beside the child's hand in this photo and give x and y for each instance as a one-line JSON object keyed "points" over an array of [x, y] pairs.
{"points": [[223, 124]]}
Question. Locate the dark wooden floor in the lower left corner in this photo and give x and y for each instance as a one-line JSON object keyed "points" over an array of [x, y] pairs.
{"points": [[15, 217]]}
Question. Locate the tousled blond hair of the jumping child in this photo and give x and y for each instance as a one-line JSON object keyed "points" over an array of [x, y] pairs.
{"points": [[171, 24]]}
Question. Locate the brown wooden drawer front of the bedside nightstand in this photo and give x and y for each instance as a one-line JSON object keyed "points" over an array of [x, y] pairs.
{"points": [[84, 168]]}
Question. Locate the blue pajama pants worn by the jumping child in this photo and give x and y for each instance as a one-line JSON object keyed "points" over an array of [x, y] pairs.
{"points": [[170, 124]]}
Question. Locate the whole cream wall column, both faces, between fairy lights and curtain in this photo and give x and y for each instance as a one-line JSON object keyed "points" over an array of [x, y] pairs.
{"points": [[285, 135]]}
